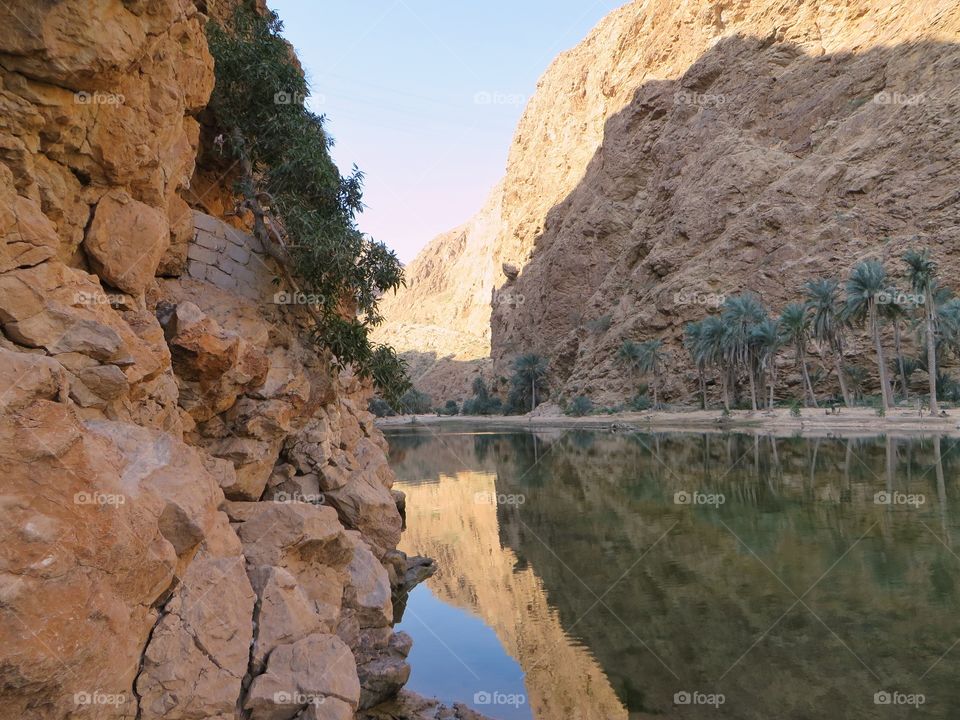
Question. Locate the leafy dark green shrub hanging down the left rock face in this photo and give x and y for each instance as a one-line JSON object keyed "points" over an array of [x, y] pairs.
{"points": [[303, 209]]}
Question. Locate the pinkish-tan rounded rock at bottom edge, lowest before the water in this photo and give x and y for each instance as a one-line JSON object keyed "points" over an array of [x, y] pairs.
{"points": [[318, 666]]}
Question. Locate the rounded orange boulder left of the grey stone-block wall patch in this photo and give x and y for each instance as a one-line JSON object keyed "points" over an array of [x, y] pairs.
{"points": [[126, 260]]}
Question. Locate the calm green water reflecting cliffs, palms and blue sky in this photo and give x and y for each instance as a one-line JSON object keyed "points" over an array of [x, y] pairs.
{"points": [[594, 575]]}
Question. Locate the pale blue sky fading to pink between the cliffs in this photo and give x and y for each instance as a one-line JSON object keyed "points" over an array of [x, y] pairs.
{"points": [[424, 95]]}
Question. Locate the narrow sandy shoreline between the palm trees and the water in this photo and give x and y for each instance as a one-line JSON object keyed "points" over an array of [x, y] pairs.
{"points": [[812, 422]]}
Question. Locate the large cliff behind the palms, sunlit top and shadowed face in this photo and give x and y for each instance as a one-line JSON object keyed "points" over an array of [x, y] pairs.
{"points": [[684, 151]]}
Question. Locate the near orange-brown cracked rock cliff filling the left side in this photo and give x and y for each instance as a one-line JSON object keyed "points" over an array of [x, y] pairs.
{"points": [[197, 514]]}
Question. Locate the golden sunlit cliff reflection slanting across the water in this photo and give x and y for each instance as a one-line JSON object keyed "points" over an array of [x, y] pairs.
{"points": [[455, 521]]}
